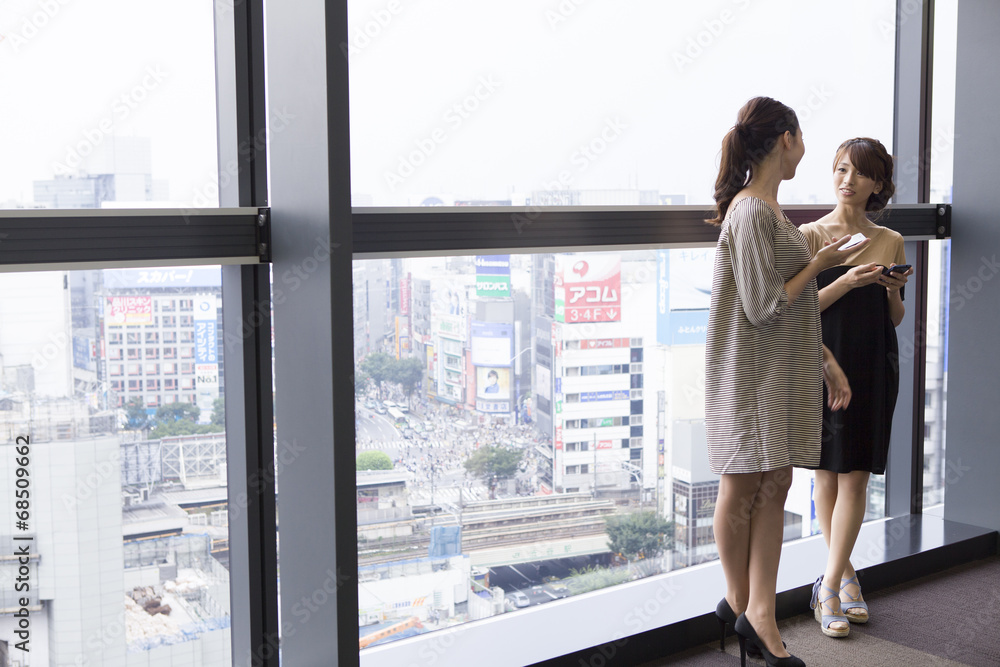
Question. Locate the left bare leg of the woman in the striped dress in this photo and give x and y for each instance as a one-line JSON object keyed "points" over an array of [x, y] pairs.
{"points": [[732, 534]]}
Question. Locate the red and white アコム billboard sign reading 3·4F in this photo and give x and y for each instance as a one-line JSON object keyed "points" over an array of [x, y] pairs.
{"points": [[588, 290]]}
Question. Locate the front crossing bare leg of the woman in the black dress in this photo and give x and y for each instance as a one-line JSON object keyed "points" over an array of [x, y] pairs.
{"points": [[848, 514]]}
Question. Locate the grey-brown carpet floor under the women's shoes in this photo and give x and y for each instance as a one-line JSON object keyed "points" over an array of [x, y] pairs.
{"points": [[948, 619]]}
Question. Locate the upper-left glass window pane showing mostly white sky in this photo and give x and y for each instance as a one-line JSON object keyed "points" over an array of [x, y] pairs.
{"points": [[141, 134]]}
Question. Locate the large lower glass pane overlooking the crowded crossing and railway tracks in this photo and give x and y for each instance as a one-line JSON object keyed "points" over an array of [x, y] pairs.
{"points": [[563, 433]]}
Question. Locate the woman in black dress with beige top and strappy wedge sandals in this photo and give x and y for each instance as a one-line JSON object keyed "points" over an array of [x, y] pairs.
{"points": [[862, 304]]}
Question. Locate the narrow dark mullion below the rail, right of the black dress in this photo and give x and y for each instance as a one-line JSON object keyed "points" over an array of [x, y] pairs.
{"points": [[918, 292]]}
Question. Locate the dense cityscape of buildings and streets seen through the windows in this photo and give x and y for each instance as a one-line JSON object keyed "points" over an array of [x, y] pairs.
{"points": [[515, 414]]}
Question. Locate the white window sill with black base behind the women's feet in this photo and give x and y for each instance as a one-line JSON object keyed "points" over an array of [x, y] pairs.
{"points": [[653, 617]]}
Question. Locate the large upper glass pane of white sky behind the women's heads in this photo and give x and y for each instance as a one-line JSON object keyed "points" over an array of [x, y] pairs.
{"points": [[600, 120]]}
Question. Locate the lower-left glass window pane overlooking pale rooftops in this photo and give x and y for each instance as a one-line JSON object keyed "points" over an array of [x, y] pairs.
{"points": [[106, 525]]}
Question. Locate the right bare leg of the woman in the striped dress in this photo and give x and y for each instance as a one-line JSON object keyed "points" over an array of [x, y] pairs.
{"points": [[766, 529]]}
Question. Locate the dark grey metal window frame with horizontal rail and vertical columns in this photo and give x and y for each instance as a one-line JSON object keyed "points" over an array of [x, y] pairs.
{"points": [[239, 236]]}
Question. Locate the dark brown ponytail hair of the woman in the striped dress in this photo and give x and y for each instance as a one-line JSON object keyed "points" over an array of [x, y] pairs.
{"points": [[759, 125]]}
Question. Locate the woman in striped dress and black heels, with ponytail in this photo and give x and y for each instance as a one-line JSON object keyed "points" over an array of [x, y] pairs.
{"points": [[765, 364]]}
